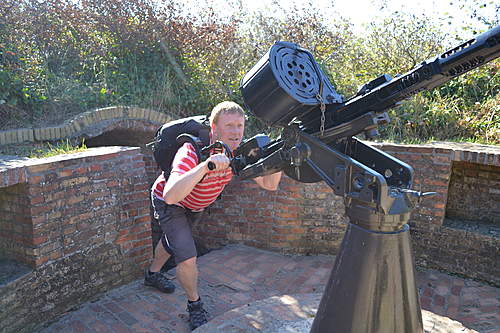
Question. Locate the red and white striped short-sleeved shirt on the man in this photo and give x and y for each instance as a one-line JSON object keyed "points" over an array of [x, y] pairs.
{"points": [[206, 191]]}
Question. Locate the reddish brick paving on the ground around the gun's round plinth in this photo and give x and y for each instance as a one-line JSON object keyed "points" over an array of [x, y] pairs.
{"points": [[237, 276]]}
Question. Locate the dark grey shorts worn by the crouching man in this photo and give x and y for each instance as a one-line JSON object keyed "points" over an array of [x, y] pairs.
{"points": [[175, 223]]}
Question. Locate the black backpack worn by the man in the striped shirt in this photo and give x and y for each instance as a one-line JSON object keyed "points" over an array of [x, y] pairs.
{"points": [[172, 135]]}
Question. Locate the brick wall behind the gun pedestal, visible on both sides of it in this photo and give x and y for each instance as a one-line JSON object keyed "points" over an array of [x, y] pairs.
{"points": [[309, 218]]}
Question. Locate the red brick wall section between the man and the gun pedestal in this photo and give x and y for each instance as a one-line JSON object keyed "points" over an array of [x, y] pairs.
{"points": [[297, 218]]}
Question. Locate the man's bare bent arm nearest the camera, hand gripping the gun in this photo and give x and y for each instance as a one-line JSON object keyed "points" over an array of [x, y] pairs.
{"points": [[178, 186]]}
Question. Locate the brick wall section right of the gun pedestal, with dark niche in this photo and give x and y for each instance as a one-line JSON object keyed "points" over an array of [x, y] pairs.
{"points": [[435, 245]]}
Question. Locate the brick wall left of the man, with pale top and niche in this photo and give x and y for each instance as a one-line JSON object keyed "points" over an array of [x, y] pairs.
{"points": [[89, 230]]}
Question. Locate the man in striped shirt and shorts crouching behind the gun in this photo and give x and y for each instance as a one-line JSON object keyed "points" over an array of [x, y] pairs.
{"points": [[178, 201]]}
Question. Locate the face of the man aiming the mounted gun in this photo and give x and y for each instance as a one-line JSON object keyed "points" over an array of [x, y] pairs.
{"points": [[229, 129]]}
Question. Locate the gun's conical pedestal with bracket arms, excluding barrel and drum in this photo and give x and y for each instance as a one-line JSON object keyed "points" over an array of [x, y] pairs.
{"points": [[372, 286]]}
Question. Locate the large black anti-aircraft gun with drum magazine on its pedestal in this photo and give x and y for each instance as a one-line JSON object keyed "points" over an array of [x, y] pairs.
{"points": [[372, 286]]}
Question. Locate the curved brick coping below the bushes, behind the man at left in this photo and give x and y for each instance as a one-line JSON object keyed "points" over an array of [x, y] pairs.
{"points": [[83, 123]]}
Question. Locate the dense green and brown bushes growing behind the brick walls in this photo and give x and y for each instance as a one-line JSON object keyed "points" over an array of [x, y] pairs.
{"points": [[59, 58]]}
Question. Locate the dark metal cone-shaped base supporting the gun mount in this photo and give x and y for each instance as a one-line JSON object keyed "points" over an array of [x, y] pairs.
{"points": [[372, 286]]}
